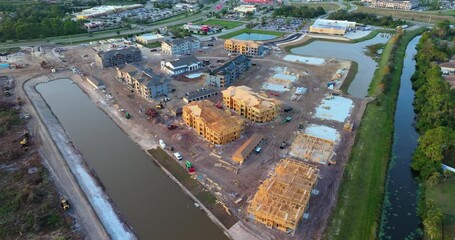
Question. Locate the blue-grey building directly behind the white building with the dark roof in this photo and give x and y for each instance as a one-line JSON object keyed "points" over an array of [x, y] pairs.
{"points": [[180, 46]]}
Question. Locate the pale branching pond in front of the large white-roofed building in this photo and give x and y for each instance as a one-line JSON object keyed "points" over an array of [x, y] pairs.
{"points": [[348, 51]]}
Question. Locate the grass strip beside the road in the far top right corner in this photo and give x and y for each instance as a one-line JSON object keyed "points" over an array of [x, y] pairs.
{"points": [[432, 17]]}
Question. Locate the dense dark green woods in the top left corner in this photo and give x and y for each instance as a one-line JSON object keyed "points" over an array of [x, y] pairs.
{"points": [[38, 20]]}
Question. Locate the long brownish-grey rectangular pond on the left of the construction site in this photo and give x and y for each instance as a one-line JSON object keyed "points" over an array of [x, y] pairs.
{"points": [[149, 201]]}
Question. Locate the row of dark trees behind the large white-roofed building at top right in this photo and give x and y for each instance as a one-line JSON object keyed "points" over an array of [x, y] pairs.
{"points": [[366, 18]]}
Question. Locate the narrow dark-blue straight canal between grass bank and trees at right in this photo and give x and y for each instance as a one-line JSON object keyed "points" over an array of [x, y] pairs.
{"points": [[399, 215]]}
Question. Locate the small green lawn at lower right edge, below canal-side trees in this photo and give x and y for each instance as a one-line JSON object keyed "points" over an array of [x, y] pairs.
{"points": [[444, 196]]}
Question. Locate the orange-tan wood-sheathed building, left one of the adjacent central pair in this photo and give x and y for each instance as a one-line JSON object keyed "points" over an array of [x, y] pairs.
{"points": [[215, 125]]}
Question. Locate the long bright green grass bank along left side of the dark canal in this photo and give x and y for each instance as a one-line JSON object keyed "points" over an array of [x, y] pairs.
{"points": [[357, 213]]}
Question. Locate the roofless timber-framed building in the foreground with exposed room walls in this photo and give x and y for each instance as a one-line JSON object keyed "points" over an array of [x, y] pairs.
{"points": [[281, 199]]}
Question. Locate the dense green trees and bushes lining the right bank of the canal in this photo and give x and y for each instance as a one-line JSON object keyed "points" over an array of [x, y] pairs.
{"points": [[434, 104]]}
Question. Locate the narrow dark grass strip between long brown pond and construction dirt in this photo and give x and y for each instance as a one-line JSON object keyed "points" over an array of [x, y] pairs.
{"points": [[204, 196]]}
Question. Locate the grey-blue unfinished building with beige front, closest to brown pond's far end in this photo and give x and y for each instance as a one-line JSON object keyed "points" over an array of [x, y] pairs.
{"points": [[144, 82]]}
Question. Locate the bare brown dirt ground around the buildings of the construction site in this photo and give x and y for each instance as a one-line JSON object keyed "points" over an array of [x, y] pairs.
{"points": [[215, 161]]}
